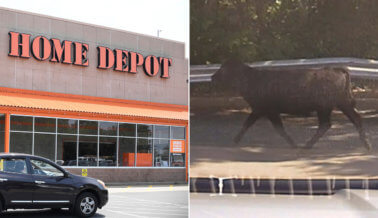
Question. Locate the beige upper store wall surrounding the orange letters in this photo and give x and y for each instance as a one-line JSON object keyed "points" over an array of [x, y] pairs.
{"points": [[70, 79]]}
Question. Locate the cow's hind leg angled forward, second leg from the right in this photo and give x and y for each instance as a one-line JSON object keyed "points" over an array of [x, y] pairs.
{"points": [[324, 118]]}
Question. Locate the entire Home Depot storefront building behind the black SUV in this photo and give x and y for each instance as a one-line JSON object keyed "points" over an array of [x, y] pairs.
{"points": [[110, 103]]}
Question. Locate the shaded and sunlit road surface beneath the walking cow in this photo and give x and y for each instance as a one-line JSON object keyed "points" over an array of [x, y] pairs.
{"points": [[262, 153]]}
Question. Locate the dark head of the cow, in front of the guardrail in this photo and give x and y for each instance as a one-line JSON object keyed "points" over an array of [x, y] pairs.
{"points": [[228, 74]]}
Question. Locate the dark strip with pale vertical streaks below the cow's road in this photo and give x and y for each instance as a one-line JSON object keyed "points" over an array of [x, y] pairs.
{"points": [[279, 186]]}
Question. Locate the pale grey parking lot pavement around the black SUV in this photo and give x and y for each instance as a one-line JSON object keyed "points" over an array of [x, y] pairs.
{"points": [[131, 201]]}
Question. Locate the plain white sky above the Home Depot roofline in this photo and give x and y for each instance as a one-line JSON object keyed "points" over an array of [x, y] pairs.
{"points": [[141, 16]]}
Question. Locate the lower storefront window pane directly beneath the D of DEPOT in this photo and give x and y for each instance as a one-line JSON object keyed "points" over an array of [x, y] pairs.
{"points": [[108, 151]]}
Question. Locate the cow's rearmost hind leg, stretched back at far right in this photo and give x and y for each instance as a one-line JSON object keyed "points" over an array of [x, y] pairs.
{"points": [[355, 118]]}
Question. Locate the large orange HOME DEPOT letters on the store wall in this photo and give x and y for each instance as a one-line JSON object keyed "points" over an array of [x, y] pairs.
{"points": [[69, 52]]}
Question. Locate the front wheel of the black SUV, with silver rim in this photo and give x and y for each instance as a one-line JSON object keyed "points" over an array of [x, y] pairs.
{"points": [[86, 205]]}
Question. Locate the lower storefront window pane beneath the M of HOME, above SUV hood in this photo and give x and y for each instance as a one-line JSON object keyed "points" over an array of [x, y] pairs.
{"points": [[66, 150]]}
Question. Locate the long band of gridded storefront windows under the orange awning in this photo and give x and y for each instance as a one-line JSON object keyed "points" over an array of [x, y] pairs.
{"points": [[71, 142]]}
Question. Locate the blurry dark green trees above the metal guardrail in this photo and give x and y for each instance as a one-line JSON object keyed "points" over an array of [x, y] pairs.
{"points": [[257, 30]]}
